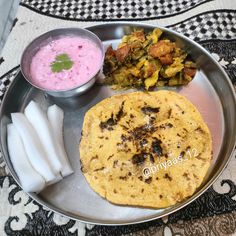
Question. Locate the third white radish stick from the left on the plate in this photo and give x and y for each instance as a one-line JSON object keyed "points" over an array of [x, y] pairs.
{"points": [[39, 121]]}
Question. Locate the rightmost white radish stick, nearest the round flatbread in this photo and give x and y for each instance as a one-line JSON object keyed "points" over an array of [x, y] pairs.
{"points": [[56, 117]]}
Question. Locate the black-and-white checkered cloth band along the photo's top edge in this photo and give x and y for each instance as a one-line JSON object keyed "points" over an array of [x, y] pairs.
{"points": [[111, 9]]}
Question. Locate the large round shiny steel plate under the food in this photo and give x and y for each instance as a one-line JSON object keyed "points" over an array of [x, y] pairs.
{"points": [[210, 91]]}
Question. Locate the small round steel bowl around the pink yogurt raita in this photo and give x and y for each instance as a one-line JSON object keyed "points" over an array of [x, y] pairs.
{"points": [[45, 39]]}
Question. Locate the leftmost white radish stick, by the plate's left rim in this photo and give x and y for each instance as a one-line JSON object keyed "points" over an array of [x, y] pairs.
{"points": [[30, 179]]}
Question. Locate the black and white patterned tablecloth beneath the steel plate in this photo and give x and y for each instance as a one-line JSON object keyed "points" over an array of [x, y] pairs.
{"points": [[212, 23]]}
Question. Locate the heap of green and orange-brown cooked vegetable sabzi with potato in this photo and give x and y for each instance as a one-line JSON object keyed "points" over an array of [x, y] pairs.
{"points": [[147, 60]]}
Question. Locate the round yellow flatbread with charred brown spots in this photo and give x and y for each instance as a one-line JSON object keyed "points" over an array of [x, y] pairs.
{"points": [[147, 149]]}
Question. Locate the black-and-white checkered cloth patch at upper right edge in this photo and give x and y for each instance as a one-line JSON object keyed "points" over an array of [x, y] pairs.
{"points": [[209, 25]]}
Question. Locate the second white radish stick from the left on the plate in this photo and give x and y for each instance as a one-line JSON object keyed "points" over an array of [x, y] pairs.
{"points": [[33, 146]]}
